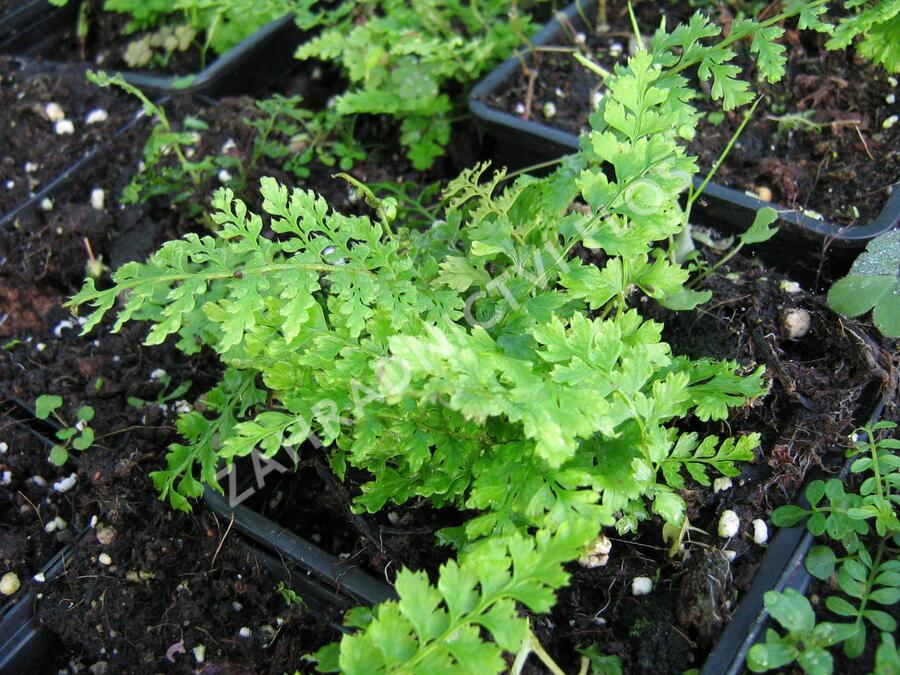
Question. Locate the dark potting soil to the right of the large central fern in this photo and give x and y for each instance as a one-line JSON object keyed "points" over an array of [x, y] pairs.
{"points": [[823, 384]]}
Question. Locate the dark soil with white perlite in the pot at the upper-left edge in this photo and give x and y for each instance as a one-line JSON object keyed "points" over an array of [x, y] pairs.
{"points": [[32, 150]]}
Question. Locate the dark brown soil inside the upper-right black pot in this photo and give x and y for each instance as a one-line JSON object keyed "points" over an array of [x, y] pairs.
{"points": [[817, 140]]}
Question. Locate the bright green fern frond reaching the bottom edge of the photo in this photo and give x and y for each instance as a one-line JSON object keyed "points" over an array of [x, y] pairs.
{"points": [[441, 628]]}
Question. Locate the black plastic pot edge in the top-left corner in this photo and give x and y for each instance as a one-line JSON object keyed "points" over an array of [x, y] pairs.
{"points": [[37, 28]]}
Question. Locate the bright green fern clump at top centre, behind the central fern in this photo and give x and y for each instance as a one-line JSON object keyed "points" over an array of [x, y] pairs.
{"points": [[402, 58]]}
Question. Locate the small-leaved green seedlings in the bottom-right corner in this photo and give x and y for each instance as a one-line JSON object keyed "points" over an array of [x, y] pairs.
{"points": [[860, 523]]}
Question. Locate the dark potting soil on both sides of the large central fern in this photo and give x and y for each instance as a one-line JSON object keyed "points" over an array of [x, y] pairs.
{"points": [[822, 385]]}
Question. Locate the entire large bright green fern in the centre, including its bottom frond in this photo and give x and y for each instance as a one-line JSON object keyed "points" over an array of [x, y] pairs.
{"points": [[476, 363]]}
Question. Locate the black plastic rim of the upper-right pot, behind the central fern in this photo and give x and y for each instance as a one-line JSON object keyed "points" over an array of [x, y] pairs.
{"points": [[797, 248]]}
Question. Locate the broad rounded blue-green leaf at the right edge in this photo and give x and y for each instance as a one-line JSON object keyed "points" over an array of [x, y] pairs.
{"points": [[873, 282]]}
